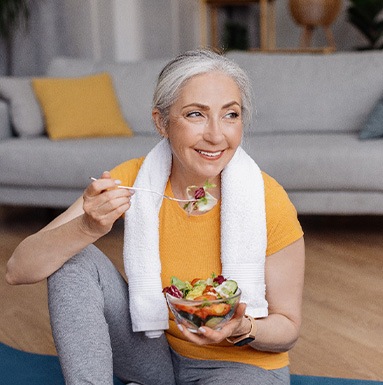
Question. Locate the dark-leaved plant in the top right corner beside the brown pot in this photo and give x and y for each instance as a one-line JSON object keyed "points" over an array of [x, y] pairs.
{"points": [[367, 17]]}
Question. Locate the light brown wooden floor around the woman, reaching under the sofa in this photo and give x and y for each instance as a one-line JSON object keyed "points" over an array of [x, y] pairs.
{"points": [[342, 333]]}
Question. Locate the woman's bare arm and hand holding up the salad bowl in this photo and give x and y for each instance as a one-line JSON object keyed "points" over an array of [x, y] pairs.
{"points": [[280, 330]]}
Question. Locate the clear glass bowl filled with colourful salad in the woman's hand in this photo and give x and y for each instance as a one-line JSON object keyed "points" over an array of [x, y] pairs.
{"points": [[211, 302]]}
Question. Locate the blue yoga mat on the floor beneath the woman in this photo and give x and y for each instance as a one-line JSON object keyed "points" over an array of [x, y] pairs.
{"points": [[22, 368]]}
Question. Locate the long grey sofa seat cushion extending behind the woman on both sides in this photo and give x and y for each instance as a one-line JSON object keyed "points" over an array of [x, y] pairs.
{"points": [[322, 162]]}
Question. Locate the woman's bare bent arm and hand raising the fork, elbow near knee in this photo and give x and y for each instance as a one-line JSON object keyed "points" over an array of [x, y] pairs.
{"points": [[88, 219]]}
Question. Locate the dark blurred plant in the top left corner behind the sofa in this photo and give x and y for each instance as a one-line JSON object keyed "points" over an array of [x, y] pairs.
{"points": [[13, 13]]}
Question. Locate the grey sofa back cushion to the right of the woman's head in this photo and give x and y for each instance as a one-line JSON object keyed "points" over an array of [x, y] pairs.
{"points": [[313, 93]]}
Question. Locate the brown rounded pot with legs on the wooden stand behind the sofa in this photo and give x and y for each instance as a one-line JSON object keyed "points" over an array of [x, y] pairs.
{"points": [[315, 13]]}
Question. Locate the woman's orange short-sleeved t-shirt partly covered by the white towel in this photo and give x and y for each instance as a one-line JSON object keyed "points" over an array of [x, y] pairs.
{"points": [[190, 247]]}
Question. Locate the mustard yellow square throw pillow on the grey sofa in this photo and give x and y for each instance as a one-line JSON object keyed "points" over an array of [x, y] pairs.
{"points": [[80, 107]]}
